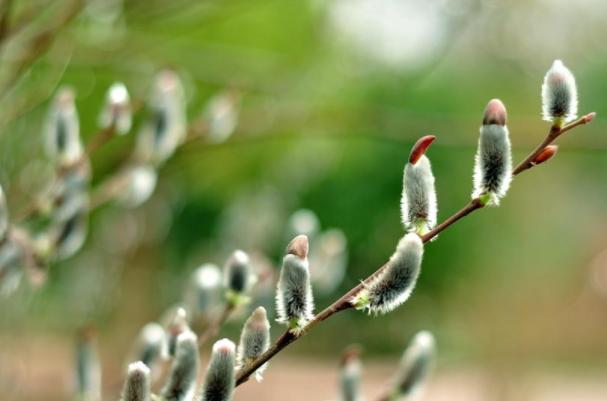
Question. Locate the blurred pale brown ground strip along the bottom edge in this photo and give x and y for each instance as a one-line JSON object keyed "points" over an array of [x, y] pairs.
{"points": [[42, 371]]}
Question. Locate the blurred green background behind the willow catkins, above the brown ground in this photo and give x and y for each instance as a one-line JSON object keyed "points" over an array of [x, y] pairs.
{"points": [[335, 95]]}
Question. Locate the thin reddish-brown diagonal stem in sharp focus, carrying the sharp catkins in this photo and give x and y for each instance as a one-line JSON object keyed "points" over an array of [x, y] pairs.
{"points": [[343, 303]]}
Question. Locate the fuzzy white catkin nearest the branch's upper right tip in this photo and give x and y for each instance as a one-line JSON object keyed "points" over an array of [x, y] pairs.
{"points": [[559, 95]]}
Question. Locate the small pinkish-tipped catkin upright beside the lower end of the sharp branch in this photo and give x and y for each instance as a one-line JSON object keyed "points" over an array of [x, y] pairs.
{"points": [[254, 340]]}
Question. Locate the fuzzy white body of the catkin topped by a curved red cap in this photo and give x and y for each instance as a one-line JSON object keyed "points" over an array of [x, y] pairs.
{"points": [[418, 201]]}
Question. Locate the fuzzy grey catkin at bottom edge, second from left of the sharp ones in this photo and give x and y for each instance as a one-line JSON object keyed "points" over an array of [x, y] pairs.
{"points": [[181, 383]]}
